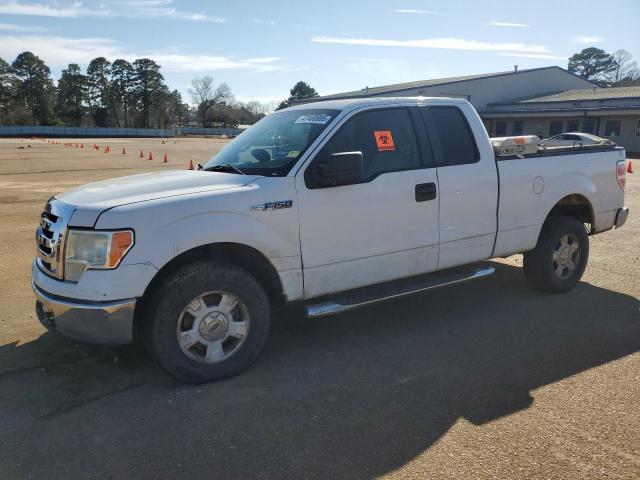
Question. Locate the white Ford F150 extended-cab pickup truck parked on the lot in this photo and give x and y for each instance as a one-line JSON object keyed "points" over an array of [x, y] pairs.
{"points": [[335, 204]]}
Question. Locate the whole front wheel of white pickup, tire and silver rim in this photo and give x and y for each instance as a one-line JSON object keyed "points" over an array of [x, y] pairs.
{"points": [[209, 321]]}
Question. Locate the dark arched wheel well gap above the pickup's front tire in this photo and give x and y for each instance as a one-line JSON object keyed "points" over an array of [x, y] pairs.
{"points": [[240, 255]]}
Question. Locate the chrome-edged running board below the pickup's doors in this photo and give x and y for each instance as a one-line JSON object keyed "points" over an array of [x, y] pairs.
{"points": [[360, 297]]}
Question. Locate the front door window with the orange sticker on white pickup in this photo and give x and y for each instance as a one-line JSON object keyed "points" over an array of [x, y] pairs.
{"points": [[386, 139]]}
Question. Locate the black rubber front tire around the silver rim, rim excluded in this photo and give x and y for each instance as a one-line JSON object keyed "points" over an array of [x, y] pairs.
{"points": [[172, 297]]}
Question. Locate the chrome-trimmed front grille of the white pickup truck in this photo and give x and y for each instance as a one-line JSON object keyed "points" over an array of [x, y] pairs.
{"points": [[50, 237]]}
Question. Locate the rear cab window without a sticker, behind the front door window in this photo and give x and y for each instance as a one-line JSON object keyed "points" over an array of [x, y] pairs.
{"points": [[449, 128]]}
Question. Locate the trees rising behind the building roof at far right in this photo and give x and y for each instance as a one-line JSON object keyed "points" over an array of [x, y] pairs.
{"points": [[617, 69]]}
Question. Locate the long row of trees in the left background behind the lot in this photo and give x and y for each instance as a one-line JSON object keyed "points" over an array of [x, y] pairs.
{"points": [[111, 94]]}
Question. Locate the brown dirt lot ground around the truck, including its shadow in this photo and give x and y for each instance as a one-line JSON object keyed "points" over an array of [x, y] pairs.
{"points": [[488, 380]]}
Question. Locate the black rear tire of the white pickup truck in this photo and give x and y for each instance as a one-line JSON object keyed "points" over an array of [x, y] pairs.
{"points": [[539, 264]]}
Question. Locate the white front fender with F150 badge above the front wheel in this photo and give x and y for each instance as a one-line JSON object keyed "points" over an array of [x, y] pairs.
{"points": [[168, 227]]}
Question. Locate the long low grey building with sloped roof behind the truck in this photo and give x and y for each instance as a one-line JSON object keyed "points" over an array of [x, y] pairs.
{"points": [[540, 101]]}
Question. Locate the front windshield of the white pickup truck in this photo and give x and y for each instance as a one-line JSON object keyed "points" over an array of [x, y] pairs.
{"points": [[273, 145]]}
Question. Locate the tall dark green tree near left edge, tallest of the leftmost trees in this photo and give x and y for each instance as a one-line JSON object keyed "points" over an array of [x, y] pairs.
{"points": [[34, 87]]}
